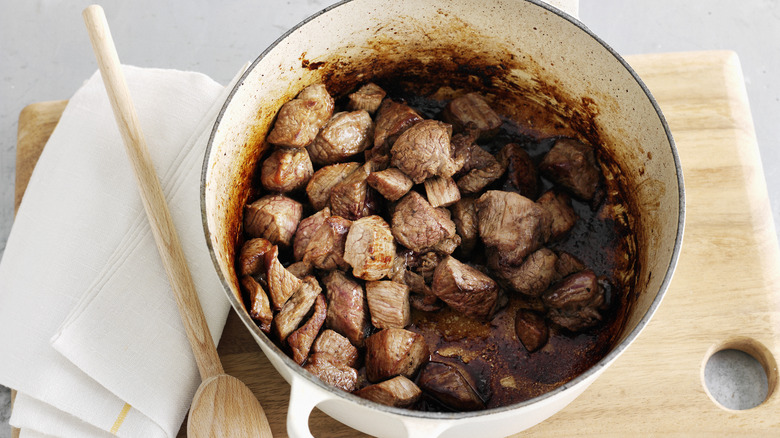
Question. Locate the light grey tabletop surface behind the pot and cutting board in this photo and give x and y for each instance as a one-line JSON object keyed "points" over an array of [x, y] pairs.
{"points": [[45, 55]]}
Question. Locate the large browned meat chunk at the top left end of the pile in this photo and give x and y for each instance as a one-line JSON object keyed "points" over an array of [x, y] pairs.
{"points": [[300, 119]]}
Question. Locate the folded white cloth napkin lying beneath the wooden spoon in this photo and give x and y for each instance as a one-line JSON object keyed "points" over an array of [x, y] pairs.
{"points": [[90, 334]]}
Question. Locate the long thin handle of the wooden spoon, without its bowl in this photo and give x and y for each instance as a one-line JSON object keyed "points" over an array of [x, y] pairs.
{"points": [[164, 232]]}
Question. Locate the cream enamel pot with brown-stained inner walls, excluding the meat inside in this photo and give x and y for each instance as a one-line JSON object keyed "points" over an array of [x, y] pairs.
{"points": [[507, 46]]}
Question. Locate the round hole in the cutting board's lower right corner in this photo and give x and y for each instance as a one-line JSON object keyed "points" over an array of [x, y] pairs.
{"points": [[740, 374]]}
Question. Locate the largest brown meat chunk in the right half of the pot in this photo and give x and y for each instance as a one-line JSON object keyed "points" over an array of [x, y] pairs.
{"points": [[512, 225]]}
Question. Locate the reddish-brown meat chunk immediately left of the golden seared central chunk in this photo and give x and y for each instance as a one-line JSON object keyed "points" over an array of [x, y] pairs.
{"points": [[326, 246]]}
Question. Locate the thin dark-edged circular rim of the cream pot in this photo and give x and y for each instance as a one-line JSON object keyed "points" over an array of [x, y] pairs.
{"points": [[616, 351]]}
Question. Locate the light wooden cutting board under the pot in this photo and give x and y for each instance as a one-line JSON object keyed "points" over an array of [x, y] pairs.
{"points": [[725, 293]]}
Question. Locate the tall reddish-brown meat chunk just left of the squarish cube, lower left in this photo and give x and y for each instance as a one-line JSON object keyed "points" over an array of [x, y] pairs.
{"points": [[347, 307]]}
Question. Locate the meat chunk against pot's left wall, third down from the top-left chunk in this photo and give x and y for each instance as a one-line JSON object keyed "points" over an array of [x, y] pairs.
{"points": [[273, 217]]}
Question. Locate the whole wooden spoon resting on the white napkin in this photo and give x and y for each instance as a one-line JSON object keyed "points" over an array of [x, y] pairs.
{"points": [[223, 406]]}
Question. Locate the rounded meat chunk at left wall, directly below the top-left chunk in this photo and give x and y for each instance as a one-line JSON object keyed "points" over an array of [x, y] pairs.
{"points": [[286, 170]]}
